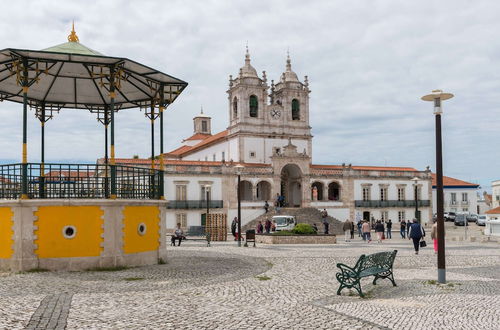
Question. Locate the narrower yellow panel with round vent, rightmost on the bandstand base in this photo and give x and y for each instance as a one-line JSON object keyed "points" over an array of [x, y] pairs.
{"points": [[133, 242]]}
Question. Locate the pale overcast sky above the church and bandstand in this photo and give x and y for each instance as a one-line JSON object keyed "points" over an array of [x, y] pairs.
{"points": [[368, 63]]}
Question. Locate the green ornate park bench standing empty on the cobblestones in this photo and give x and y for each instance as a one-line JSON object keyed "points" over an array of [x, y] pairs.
{"points": [[377, 264]]}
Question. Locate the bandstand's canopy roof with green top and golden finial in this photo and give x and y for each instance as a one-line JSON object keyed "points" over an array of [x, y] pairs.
{"points": [[71, 75]]}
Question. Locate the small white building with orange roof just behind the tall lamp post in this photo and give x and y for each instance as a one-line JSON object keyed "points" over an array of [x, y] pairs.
{"points": [[459, 196]]}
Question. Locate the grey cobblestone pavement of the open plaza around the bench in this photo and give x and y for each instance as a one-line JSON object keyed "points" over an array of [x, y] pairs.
{"points": [[268, 287]]}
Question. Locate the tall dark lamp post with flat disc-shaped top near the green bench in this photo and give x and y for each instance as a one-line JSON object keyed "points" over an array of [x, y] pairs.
{"points": [[437, 96]]}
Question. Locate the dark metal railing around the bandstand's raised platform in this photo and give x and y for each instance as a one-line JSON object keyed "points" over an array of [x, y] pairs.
{"points": [[80, 181]]}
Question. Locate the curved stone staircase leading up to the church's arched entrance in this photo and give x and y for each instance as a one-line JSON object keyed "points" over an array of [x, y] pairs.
{"points": [[308, 215]]}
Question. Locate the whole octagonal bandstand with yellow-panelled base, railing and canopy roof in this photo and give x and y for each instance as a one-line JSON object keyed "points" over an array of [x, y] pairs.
{"points": [[82, 216]]}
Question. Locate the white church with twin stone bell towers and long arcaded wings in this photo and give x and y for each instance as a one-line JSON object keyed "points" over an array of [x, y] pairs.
{"points": [[269, 135]]}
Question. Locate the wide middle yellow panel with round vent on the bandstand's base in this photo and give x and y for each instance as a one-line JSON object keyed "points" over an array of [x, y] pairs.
{"points": [[50, 240]]}
